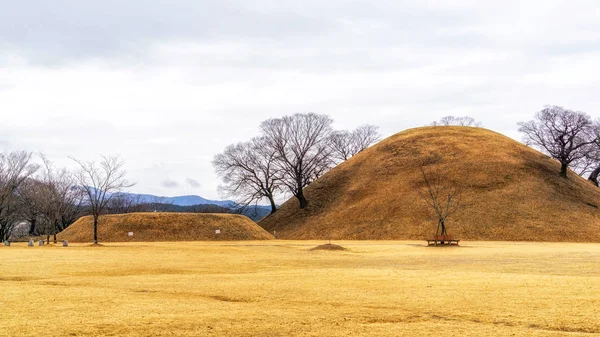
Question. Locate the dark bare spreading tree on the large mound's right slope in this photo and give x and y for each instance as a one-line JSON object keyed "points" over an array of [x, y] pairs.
{"points": [[565, 135]]}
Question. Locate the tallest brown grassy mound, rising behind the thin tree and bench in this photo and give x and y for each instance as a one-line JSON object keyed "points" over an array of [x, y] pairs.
{"points": [[510, 192]]}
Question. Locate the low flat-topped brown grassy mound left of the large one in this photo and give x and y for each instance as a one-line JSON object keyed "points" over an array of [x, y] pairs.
{"points": [[156, 227]]}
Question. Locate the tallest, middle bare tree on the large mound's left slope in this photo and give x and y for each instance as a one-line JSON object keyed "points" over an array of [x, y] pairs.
{"points": [[302, 150]]}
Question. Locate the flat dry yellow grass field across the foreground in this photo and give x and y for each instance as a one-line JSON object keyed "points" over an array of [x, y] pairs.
{"points": [[281, 288]]}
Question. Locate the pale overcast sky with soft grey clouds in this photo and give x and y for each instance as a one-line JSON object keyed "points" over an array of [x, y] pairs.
{"points": [[168, 84]]}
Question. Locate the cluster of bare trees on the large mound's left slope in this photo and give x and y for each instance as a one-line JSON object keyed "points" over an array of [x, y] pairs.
{"points": [[291, 153]]}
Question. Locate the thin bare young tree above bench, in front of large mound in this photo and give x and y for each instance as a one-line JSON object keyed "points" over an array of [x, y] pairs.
{"points": [[442, 197]]}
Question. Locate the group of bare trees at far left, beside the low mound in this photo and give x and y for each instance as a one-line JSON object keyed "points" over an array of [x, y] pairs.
{"points": [[47, 199]]}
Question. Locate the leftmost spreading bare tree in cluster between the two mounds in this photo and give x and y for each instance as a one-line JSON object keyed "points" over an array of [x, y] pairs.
{"points": [[249, 173]]}
